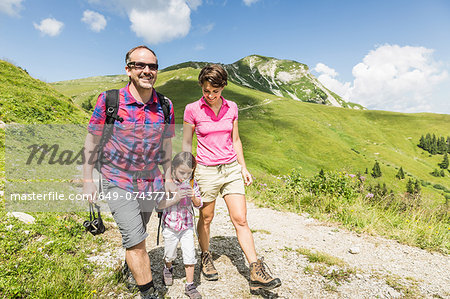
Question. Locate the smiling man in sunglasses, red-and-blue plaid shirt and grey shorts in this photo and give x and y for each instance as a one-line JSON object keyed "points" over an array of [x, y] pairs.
{"points": [[131, 177]]}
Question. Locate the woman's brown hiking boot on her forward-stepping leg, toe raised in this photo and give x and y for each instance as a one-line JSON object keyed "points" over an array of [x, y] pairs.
{"points": [[260, 279]]}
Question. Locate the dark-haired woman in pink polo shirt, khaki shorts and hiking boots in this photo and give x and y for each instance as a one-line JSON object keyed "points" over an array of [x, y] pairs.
{"points": [[221, 170]]}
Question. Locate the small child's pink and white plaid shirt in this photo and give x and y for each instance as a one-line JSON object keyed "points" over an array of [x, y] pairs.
{"points": [[181, 216]]}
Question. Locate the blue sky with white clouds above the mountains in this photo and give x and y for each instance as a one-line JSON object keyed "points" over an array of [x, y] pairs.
{"points": [[386, 55]]}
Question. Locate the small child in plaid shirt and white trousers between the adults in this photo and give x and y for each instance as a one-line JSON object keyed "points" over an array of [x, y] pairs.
{"points": [[178, 221]]}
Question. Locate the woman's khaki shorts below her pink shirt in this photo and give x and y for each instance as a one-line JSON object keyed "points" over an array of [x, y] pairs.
{"points": [[221, 179]]}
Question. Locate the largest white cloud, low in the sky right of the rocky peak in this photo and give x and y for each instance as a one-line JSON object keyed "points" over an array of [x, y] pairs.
{"points": [[390, 77]]}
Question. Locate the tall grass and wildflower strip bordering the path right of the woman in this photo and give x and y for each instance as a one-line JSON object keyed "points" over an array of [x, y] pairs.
{"points": [[422, 222]]}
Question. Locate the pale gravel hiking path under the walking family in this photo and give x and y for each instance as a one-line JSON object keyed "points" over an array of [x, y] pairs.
{"points": [[378, 268]]}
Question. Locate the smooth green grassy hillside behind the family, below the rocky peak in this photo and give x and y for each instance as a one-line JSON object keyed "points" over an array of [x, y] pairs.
{"points": [[280, 133]]}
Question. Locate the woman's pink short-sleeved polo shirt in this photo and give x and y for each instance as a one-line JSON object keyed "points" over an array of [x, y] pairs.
{"points": [[214, 142]]}
